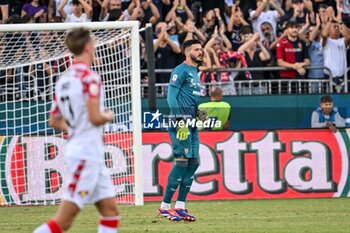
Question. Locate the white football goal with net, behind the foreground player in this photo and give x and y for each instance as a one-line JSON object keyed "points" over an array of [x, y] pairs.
{"points": [[32, 57]]}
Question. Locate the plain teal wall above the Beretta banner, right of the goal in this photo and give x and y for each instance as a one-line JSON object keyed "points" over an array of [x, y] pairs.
{"points": [[271, 112]]}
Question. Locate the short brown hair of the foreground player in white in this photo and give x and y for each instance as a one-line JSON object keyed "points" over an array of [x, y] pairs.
{"points": [[77, 39]]}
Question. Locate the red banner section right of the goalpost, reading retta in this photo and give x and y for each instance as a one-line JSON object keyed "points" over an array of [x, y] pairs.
{"points": [[256, 164]]}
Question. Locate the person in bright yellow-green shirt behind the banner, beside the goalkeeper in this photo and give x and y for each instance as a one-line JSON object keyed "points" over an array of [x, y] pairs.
{"points": [[217, 109]]}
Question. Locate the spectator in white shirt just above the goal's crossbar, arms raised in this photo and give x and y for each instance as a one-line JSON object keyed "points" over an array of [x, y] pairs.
{"points": [[78, 15]]}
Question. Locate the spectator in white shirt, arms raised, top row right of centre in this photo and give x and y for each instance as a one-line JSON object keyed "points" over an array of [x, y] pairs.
{"points": [[264, 14]]}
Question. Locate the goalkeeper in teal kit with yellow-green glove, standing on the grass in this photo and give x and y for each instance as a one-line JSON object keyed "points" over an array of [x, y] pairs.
{"points": [[183, 100]]}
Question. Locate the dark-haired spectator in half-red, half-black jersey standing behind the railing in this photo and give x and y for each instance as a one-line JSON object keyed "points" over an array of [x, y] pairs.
{"points": [[292, 53]]}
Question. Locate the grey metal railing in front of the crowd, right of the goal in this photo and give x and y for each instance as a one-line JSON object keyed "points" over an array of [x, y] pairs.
{"points": [[257, 87]]}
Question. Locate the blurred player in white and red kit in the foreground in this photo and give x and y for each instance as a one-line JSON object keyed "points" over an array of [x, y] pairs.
{"points": [[78, 110]]}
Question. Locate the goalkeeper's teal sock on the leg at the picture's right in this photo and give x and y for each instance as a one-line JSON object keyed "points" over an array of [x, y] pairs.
{"points": [[187, 180]]}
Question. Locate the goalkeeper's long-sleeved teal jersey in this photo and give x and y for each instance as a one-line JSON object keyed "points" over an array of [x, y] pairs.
{"points": [[184, 91]]}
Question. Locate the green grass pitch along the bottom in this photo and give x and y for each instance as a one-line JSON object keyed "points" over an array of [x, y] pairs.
{"points": [[288, 215]]}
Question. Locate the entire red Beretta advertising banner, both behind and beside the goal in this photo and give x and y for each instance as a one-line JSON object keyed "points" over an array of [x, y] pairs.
{"points": [[233, 165]]}
